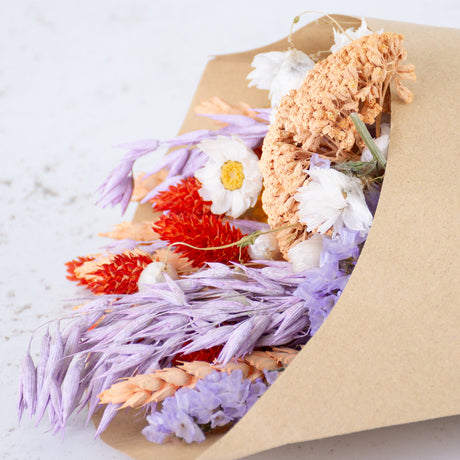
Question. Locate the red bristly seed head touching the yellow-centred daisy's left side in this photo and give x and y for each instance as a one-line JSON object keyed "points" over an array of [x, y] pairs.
{"points": [[182, 198]]}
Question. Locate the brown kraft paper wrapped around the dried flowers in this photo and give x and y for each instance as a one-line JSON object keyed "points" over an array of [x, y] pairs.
{"points": [[389, 352]]}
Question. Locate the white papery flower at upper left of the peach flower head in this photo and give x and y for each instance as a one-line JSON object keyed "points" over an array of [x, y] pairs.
{"points": [[279, 72]]}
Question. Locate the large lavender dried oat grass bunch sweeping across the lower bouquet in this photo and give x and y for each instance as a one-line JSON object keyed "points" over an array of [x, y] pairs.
{"points": [[238, 307]]}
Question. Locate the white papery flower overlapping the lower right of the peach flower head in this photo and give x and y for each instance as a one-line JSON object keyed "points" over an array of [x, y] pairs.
{"points": [[333, 199]]}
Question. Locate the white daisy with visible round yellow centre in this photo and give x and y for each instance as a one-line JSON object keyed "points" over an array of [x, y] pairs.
{"points": [[231, 178]]}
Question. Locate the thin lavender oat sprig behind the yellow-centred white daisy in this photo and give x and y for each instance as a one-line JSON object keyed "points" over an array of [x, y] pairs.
{"points": [[181, 163]]}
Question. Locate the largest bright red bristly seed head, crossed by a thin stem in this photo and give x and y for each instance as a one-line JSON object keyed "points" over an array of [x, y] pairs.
{"points": [[206, 231]]}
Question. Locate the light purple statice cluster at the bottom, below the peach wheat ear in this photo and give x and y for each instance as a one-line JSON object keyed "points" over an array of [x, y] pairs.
{"points": [[216, 400]]}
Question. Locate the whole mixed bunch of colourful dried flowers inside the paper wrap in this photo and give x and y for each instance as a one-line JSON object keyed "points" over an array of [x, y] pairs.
{"points": [[261, 222]]}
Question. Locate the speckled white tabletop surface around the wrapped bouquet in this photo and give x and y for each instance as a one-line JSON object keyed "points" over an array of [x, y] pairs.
{"points": [[77, 77]]}
